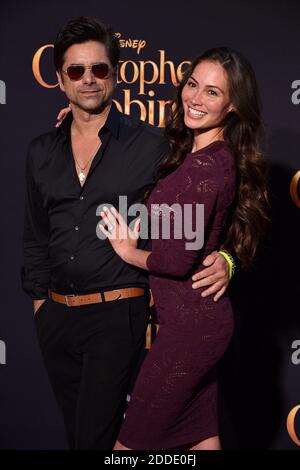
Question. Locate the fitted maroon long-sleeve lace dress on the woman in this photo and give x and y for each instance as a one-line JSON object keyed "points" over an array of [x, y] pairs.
{"points": [[174, 401]]}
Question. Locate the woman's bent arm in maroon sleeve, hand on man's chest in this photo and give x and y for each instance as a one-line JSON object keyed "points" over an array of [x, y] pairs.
{"points": [[173, 256]]}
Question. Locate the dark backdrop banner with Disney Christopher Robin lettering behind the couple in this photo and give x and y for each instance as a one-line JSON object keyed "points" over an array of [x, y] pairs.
{"points": [[259, 376]]}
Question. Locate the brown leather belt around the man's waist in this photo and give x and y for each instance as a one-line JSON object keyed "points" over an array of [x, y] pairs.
{"points": [[86, 299]]}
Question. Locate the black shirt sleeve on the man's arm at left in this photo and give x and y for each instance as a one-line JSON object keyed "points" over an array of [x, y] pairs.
{"points": [[35, 272]]}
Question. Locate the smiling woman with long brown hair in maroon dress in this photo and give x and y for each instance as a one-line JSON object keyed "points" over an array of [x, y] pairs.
{"points": [[215, 161]]}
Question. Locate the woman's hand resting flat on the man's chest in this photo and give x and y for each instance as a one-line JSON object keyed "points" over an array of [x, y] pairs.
{"points": [[122, 238]]}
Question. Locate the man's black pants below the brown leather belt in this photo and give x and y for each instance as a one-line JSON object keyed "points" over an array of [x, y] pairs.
{"points": [[90, 353]]}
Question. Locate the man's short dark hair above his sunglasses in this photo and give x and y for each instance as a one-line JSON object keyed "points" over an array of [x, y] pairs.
{"points": [[83, 29]]}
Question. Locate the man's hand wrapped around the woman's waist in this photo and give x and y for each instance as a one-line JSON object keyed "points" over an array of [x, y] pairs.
{"points": [[216, 275]]}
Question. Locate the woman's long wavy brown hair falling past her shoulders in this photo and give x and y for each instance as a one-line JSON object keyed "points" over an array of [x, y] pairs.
{"points": [[242, 132]]}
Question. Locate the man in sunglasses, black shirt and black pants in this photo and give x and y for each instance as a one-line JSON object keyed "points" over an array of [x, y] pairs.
{"points": [[91, 308]]}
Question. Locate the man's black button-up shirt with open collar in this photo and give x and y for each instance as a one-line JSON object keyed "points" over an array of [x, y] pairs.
{"points": [[61, 249]]}
